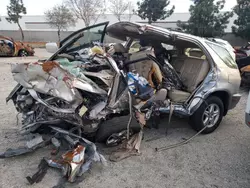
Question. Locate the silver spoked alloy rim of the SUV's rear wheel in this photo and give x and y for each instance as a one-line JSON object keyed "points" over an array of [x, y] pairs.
{"points": [[211, 115]]}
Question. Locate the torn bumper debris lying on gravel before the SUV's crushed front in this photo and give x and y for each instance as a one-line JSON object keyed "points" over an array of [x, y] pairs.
{"points": [[73, 163]]}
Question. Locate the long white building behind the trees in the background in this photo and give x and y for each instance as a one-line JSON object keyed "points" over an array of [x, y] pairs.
{"points": [[39, 22]]}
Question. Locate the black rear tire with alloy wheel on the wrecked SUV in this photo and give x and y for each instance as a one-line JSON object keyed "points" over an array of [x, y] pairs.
{"points": [[198, 118]]}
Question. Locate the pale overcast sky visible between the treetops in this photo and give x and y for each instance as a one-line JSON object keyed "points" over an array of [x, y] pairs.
{"points": [[38, 7]]}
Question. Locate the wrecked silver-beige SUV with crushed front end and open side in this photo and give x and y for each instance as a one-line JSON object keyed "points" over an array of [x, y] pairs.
{"points": [[82, 89]]}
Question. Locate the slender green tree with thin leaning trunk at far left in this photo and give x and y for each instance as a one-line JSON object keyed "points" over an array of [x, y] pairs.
{"points": [[15, 11]]}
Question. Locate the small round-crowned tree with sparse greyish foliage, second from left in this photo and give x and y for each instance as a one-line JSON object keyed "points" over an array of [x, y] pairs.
{"points": [[61, 18]]}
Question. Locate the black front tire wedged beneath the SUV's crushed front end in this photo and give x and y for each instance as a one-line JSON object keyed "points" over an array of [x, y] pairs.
{"points": [[115, 125]]}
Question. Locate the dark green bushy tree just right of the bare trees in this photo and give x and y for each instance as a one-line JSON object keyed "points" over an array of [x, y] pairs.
{"points": [[154, 10]]}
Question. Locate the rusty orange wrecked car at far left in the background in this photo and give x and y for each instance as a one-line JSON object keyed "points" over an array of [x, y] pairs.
{"points": [[11, 48]]}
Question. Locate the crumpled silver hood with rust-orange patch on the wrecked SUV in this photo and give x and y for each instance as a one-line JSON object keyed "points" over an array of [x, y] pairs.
{"points": [[48, 78]]}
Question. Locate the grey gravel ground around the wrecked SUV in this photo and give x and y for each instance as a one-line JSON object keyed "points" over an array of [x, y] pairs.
{"points": [[217, 160]]}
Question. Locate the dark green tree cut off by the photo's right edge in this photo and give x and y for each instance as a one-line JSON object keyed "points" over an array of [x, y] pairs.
{"points": [[242, 23]]}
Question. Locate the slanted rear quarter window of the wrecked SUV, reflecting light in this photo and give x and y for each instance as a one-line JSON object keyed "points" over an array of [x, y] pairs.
{"points": [[224, 55]]}
